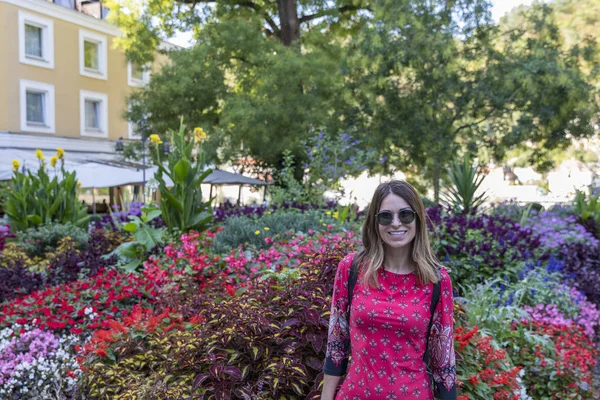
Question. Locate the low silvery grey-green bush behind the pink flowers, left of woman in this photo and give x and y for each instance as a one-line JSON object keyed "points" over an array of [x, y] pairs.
{"points": [[253, 231]]}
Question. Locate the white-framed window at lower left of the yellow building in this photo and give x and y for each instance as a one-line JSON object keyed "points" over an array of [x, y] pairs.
{"points": [[37, 106]]}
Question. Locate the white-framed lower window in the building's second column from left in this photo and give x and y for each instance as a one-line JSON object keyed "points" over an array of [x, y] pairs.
{"points": [[94, 114]]}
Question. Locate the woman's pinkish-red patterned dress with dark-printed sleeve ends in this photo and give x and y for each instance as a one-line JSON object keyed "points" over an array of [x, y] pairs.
{"points": [[387, 333]]}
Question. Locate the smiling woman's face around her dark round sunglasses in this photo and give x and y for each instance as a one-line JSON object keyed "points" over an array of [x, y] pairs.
{"points": [[397, 234]]}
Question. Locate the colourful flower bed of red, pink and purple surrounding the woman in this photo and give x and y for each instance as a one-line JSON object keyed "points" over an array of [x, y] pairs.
{"points": [[252, 321]]}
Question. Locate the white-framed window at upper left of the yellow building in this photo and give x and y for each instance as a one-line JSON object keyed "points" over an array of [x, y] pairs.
{"points": [[36, 40]]}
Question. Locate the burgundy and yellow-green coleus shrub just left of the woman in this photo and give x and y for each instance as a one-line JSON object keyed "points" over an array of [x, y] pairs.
{"points": [[266, 342]]}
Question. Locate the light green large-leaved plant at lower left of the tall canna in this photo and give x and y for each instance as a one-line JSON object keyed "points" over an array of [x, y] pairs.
{"points": [[146, 239]]}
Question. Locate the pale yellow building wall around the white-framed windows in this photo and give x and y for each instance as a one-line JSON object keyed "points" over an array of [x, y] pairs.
{"points": [[65, 76]]}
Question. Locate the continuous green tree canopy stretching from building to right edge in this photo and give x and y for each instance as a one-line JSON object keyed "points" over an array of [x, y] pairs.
{"points": [[415, 81]]}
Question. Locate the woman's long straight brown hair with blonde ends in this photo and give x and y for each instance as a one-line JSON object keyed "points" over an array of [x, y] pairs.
{"points": [[371, 258]]}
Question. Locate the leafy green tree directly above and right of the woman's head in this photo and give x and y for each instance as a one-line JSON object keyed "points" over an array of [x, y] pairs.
{"points": [[435, 78]]}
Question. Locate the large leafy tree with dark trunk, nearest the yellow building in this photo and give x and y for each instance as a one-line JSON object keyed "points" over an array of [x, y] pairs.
{"points": [[262, 78]]}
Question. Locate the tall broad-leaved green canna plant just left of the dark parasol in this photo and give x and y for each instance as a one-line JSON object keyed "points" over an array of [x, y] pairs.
{"points": [[181, 204]]}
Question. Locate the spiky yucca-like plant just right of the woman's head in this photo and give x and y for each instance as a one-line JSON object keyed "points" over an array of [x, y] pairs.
{"points": [[466, 179]]}
